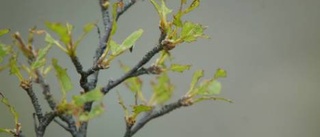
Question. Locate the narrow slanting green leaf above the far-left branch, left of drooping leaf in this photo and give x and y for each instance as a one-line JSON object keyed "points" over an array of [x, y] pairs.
{"points": [[40, 59]]}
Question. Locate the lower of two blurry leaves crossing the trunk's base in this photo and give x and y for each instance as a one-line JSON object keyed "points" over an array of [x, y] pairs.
{"points": [[96, 111]]}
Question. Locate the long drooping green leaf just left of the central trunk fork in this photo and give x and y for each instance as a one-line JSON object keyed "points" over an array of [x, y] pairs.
{"points": [[63, 77]]}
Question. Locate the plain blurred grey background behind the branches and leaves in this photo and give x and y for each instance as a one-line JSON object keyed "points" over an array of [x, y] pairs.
{"points": [[270, 49]]}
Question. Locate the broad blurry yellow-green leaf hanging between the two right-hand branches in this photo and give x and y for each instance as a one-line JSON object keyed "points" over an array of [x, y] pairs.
{"points": [[162, 90]]}
